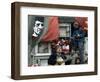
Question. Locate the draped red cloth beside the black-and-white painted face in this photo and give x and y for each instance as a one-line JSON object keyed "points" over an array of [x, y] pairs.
{"points": [[53, 29]]}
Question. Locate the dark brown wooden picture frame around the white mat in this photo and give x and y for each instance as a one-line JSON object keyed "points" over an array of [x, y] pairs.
{"points": [[15, 39]]}
